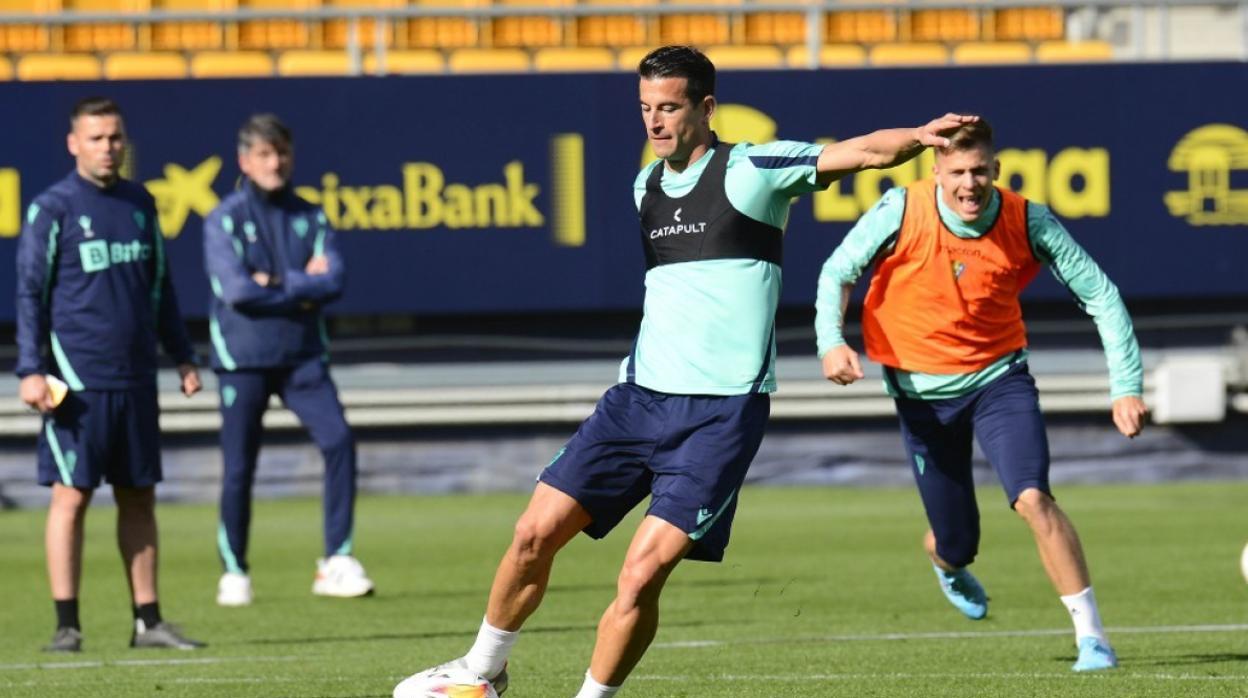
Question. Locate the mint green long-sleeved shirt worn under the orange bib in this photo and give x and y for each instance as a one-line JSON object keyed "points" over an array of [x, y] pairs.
{"points": [[1053, 245]]}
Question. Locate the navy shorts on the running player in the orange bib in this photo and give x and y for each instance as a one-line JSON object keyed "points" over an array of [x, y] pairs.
{"points": [[1004, 416]]}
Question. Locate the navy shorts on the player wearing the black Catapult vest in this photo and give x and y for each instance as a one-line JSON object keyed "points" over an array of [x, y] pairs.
{"points": [[690, 454]]}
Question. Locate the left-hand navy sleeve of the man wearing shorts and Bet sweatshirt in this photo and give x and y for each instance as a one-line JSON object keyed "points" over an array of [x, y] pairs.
{"points": [[37, 259]]}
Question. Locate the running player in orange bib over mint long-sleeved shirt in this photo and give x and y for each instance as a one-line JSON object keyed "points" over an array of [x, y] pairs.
{"points": [[952, 257]]}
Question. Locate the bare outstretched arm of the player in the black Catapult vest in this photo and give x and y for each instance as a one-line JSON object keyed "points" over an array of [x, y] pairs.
{"points": [[885, 148]]}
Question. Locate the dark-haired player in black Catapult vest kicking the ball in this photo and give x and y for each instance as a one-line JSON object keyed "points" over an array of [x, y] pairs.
{"points": [[693, 398]]}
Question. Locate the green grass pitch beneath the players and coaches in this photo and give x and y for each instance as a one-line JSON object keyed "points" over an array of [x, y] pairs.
{"points": [[824, 592]]}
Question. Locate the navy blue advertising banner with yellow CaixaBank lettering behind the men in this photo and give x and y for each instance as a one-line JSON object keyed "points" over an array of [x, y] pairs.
{"points": [[500, 194]]}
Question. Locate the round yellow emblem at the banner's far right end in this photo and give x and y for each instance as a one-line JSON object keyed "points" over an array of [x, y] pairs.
{"points": [[1209, 155]]}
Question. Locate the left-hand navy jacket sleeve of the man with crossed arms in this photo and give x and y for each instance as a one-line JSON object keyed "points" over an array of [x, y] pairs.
{"points": [[229, 275]]}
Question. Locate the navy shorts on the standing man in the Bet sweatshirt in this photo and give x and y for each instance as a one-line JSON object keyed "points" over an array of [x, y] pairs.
{"points": [[97, 436]]}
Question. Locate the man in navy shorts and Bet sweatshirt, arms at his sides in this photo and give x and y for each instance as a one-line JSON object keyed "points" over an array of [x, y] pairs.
{"points": [[94, 287]]}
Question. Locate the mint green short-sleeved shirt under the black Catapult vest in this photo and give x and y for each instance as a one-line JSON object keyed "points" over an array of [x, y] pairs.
{"points": [[708, 325]]}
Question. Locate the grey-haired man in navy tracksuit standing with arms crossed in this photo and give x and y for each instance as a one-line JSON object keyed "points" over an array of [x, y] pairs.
{"points": [[274, 264]]}
